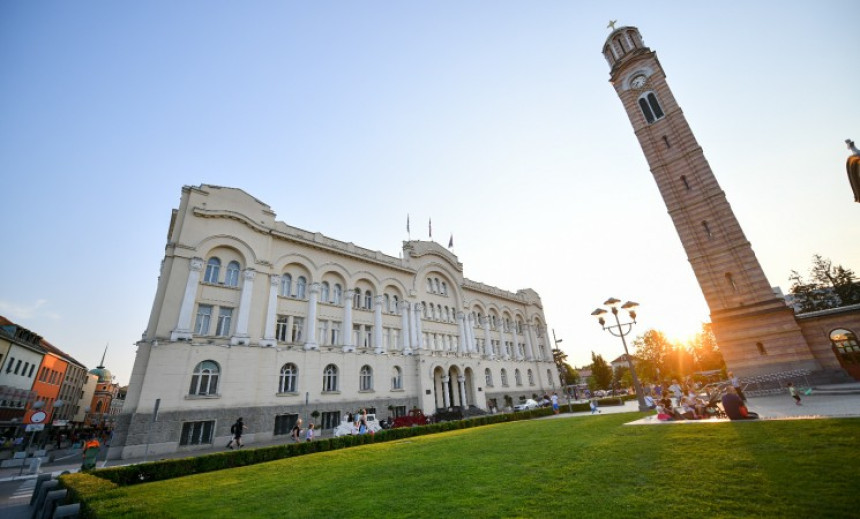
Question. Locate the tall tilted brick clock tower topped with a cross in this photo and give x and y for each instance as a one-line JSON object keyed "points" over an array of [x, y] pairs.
{"points": [[756, 331]]}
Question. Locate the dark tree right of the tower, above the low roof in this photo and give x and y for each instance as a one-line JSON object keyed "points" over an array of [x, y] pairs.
{"points": [[829, 286]]}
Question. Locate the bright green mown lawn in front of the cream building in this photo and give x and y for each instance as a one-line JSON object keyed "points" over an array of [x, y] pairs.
{"points": [[579, 467]]}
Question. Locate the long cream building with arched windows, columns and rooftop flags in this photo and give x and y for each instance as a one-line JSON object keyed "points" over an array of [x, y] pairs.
{"points": [[255, 318]]}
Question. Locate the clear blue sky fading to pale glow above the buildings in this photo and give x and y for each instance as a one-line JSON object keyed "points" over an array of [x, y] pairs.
{"points": [[493, 118]]}
